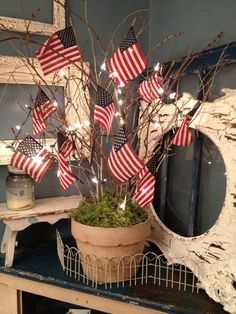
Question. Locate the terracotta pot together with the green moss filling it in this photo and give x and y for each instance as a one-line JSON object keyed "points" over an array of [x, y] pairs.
{"points": [[110, 236]]}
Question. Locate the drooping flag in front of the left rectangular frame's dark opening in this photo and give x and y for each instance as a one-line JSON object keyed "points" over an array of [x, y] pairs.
{"points": [[42, 110]]}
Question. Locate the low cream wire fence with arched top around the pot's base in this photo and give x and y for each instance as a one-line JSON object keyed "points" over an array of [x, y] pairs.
{"points": [[148, 268]]}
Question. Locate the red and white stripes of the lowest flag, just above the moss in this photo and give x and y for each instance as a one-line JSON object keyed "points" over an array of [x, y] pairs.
{"points": [[144, 193]]}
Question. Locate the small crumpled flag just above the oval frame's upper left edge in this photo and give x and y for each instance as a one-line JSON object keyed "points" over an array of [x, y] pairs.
{"points": [[152, 88]]}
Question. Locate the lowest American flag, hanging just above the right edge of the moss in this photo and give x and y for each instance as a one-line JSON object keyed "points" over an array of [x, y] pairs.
{"points": [[144, 193]]}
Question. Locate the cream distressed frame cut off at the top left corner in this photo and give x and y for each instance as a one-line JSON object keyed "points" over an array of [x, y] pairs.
{"points": [[34, 27]]}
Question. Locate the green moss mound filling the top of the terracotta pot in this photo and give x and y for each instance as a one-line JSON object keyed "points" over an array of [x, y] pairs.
{"points": [[105, 214]]}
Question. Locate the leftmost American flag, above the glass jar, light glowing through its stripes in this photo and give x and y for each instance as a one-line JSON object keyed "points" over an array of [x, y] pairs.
{"points": [[31, 157]]}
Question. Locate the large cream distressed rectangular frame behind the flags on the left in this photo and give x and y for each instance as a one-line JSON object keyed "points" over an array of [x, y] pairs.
{"points": [[15, 70]]}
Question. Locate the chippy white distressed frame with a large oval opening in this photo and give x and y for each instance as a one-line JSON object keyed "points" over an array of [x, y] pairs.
{"points": [[212, 255]]}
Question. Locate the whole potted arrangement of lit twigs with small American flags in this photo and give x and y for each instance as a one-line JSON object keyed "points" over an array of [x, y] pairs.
{"points": [[103, 144]]}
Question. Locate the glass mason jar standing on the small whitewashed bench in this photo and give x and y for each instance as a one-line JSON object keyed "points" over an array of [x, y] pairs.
{"points": [[19, 190]]}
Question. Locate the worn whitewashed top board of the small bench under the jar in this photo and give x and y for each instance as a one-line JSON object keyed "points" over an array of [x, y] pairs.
{"points": [[42, 206]]}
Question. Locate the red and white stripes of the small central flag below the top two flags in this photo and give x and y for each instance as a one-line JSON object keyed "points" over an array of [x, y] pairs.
{"points": [[104, 116]]}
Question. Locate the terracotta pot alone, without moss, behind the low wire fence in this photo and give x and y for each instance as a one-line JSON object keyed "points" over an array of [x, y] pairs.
{"points": [[110, 254]]}
